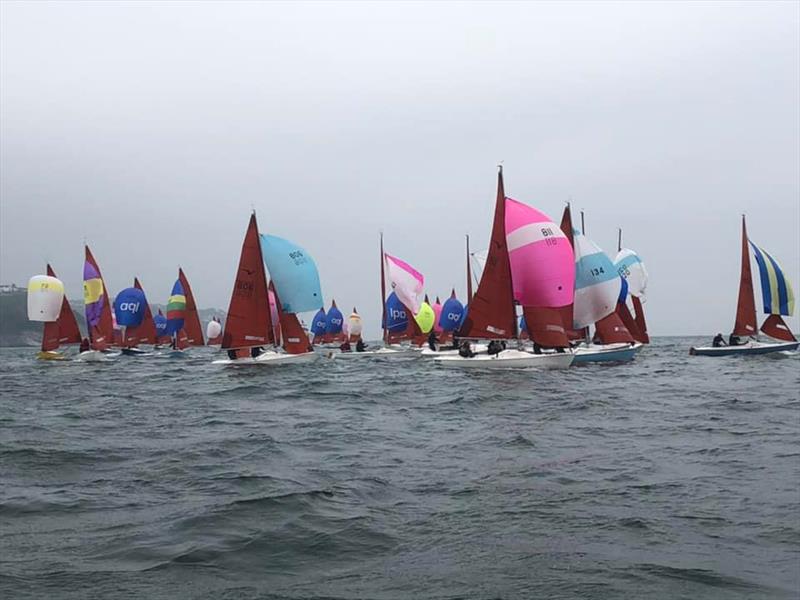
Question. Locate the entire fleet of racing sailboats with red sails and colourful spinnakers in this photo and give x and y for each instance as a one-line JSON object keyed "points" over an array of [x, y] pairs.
{"points": [[547, 297]]}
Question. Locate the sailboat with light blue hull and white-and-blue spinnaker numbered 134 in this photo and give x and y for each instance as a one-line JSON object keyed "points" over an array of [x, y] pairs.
{"points": [[598, 290]]}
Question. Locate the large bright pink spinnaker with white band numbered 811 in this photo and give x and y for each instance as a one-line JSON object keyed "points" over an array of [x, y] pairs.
{"points": [[542, 261]]}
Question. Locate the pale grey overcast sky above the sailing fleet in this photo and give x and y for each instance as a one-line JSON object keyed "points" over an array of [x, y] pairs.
{"points": [[151, 129]]}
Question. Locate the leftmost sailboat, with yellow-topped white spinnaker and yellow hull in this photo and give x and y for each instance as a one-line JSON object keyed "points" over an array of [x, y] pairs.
{"points": [[48, 303]]}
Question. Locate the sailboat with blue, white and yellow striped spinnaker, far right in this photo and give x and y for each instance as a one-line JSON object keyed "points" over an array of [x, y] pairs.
{"points": [[778, 300]]}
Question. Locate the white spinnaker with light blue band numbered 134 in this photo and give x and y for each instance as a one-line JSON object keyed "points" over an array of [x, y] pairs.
{"points": [[597, 284]]}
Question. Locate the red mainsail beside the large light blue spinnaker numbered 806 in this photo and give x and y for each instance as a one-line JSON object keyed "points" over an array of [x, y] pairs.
{"points": [[248, 323]]}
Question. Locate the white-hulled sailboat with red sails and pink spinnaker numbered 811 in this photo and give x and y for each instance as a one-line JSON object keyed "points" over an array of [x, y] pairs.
{"points": [[529, 261]]}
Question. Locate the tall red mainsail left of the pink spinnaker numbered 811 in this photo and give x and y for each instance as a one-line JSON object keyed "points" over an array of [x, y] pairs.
{"points": [[491, 313]]}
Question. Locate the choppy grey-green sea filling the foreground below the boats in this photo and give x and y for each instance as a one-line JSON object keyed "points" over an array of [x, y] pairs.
{"points": [[670, 477]]}
